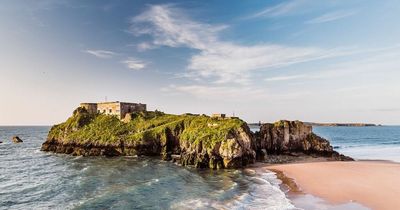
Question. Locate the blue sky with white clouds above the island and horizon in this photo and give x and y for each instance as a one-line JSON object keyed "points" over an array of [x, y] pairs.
{"points": [[316, 61]]}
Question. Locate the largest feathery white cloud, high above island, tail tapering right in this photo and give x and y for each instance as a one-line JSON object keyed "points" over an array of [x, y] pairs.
{"points": [[216, 60]]}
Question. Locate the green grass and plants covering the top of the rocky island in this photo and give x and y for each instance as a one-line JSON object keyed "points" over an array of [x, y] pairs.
{"points": [[145, 127]]}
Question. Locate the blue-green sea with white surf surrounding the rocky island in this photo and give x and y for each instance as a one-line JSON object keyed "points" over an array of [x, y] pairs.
{"points": [[32, 179]]}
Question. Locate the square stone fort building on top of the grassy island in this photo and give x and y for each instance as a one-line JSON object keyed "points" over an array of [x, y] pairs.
{"points": [[119, 109]]}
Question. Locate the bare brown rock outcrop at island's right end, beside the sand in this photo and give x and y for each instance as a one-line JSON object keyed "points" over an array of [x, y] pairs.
{"points": [[294, 137]]}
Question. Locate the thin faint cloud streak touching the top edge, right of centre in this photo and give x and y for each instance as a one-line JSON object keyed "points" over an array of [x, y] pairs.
{"points": [[281, 9]]}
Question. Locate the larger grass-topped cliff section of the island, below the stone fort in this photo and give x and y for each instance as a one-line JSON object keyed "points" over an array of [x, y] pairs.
{"points": [[198, 140]]}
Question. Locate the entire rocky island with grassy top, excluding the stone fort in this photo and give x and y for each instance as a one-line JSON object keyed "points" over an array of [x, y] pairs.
{"points": [[201, 141]]}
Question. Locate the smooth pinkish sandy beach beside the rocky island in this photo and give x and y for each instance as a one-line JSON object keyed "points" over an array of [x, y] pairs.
{"points": [[374, 184]]}
